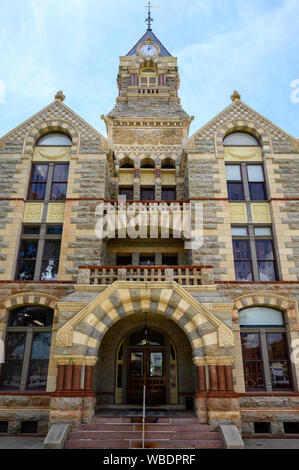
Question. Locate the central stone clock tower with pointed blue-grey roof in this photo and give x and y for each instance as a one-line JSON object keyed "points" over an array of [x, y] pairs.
{"points": [[148, 121]]}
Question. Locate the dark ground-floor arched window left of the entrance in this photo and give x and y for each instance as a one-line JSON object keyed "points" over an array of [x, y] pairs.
{"points": [[27, 351]]}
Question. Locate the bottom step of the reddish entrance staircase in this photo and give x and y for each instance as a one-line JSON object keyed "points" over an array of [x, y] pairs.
{"points": [[137, 444]]}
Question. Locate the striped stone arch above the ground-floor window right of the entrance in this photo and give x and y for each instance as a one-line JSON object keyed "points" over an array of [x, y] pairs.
{"points": [[289, 307]]}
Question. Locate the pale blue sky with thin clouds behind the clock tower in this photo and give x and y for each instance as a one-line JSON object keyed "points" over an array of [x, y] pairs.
{"points": [[221, 45]]}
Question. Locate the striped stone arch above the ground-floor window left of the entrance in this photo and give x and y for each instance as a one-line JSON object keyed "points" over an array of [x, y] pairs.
{"points": [[28, 298]]}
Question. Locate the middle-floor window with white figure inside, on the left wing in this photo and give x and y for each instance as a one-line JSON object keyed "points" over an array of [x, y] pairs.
{"points": [[39, 252]]}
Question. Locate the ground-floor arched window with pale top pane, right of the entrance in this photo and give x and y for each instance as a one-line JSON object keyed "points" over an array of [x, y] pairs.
{"points": [[264, 348]]}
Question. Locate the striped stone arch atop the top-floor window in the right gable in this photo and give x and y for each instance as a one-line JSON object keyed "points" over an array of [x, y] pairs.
{"points": [[239, 125]]}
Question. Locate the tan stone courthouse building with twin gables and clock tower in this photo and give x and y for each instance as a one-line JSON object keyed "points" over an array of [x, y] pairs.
{"points": [[87, 321]]}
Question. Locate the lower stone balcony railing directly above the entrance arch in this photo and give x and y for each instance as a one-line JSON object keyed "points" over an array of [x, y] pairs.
{"points": [[183, 275]]}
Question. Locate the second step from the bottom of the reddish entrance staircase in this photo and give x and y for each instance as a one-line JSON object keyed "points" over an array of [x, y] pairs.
{"points": [[152, 435]]}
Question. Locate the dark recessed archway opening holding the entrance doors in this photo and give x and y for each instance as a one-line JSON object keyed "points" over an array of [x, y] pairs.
{"points": [[116, 383]]}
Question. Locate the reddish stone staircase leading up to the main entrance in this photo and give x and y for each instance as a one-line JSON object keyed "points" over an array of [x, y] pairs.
{"points": [[125, 432]]}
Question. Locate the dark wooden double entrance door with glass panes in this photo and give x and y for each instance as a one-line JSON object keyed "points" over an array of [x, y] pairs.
{"points": [[146, 366]]}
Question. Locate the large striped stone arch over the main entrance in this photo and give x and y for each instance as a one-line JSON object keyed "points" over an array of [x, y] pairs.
{"points": [[82, 334]]}
